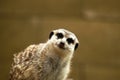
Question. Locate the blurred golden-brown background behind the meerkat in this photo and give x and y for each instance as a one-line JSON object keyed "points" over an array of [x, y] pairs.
{"points": [[95, 22]]}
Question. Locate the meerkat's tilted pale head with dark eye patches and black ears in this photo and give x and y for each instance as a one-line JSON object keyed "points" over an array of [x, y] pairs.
{"points": [[64, 40]]}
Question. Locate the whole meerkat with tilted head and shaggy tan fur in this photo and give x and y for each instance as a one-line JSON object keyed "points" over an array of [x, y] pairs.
{"points": [[46, 61]]}
